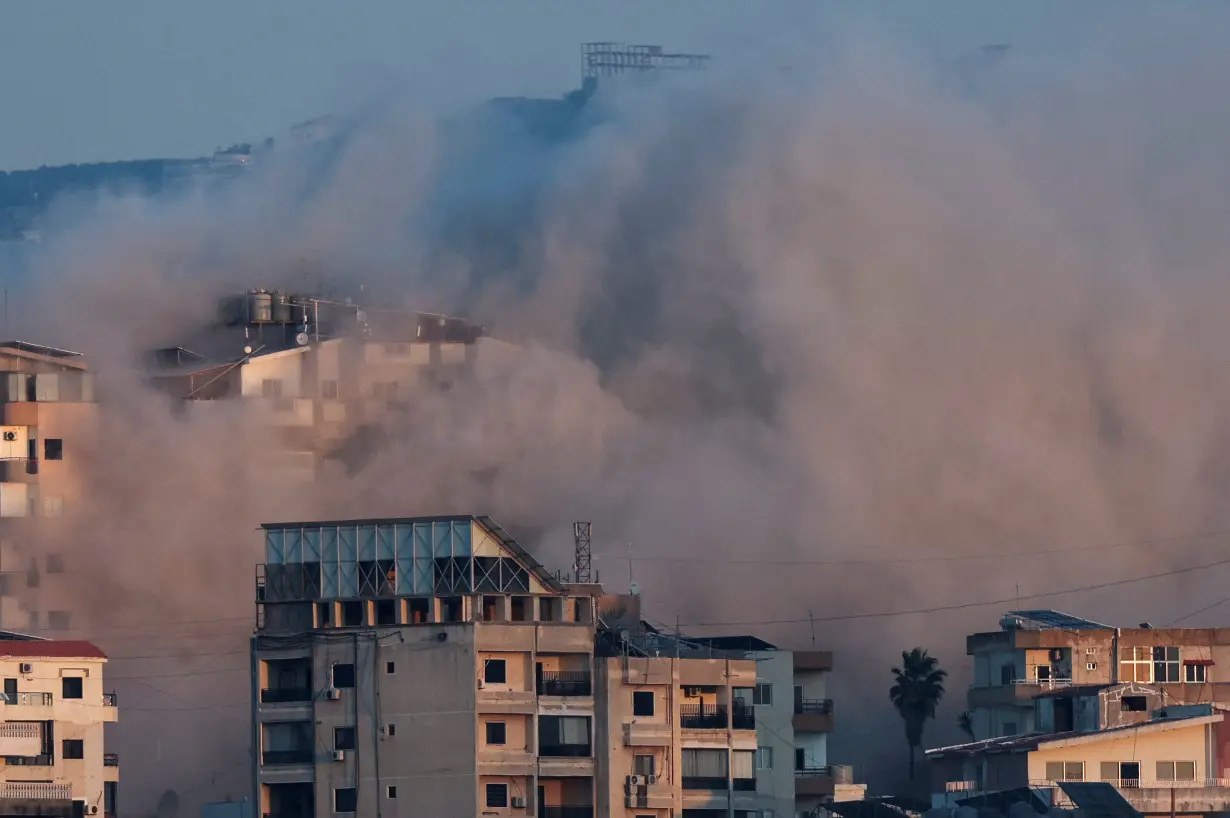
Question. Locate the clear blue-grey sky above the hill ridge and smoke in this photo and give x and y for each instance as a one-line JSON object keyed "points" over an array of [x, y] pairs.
{"points": [[126, 79]]}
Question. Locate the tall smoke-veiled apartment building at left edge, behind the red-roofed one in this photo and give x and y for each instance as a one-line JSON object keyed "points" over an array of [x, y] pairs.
{"points": [[47, 400]]}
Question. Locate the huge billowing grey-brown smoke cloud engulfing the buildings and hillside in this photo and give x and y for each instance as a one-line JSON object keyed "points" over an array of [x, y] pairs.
{"points": [[809, 346]]}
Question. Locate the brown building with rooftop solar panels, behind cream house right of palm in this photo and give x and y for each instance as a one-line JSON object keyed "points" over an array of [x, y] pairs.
{"points": [[1039, 651]]}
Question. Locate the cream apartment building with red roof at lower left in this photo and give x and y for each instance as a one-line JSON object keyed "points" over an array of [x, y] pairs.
{"points": [[52, 718]]}
